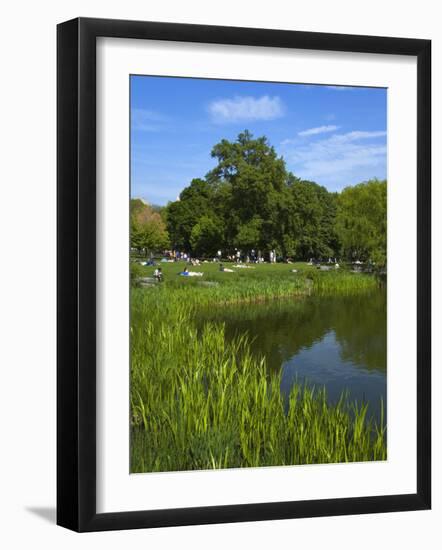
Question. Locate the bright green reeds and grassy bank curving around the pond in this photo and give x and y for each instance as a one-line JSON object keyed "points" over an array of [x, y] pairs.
{"points": [[200, 402]]}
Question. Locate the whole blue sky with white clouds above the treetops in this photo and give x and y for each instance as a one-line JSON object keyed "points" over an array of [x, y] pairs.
{"points": [[333, 135]]}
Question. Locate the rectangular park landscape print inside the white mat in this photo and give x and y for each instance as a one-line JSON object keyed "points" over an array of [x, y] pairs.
{"points": [[258, 270]]}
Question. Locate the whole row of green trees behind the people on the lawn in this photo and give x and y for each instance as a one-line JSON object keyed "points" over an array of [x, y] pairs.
{"points": [[251, 201]]}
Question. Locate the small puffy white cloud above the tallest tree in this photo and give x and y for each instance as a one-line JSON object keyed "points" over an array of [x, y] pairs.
{"points": [[245, 108]]}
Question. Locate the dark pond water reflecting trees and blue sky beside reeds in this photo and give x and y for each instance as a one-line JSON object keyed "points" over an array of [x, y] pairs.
{"points": [[336, 342]]}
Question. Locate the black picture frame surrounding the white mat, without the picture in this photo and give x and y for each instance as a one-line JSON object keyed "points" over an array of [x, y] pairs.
{"points": [[76, 274]]}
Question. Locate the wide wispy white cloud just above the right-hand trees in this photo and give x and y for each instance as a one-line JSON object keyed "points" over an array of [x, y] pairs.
{"points": [[338, 158]]}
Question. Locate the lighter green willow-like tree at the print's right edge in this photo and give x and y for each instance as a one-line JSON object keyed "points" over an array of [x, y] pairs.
{"points": [[361, 221]]}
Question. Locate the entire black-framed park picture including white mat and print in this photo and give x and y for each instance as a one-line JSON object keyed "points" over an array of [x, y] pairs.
{"points": [[243, 274]]}
